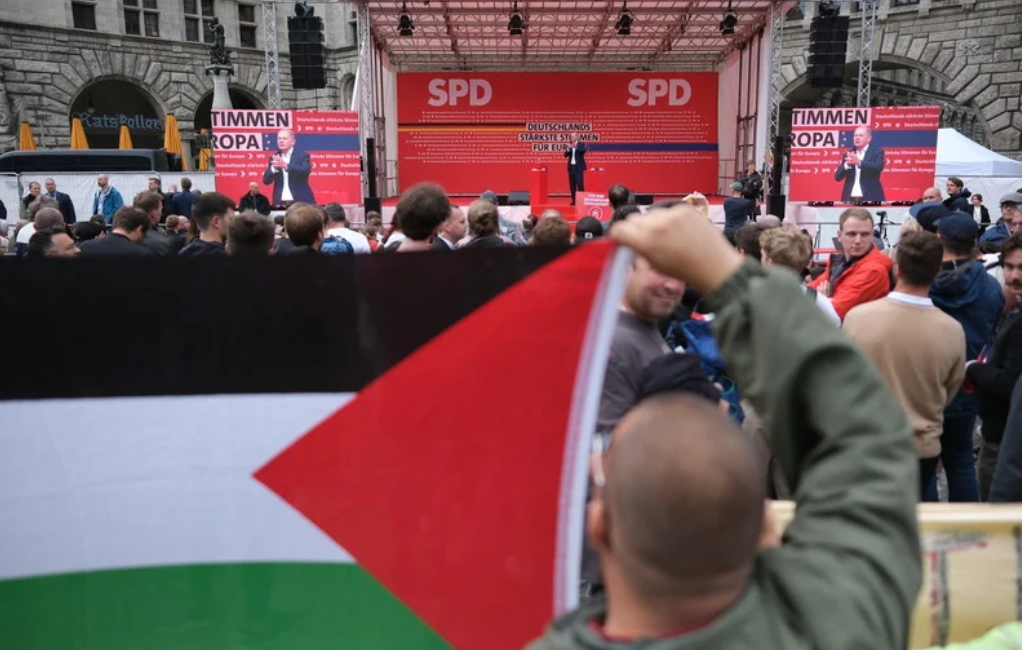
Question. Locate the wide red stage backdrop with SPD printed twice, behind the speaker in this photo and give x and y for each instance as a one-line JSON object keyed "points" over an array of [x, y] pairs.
{"points": [[655, 132]]}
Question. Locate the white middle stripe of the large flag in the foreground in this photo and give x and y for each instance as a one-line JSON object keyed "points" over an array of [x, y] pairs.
{"points": [[101, 484]]}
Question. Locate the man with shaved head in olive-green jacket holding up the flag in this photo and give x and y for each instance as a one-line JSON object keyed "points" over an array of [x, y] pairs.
{"points": [[679, 521]]}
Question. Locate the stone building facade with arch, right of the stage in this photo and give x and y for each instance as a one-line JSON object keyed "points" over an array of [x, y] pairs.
{"points": [[963, 56]]}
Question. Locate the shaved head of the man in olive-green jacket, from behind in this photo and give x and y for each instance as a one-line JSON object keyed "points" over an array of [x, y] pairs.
{"points": [[684, 499]]}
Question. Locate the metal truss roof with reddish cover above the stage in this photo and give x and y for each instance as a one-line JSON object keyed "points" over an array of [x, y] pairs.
{"points": [[565, 36]]}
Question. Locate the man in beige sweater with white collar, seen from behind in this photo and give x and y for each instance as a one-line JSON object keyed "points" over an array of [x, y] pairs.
{"points": [[918, 349]]}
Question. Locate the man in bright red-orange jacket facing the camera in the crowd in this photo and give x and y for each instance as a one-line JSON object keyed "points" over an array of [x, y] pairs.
{"points": [[861, 274]]}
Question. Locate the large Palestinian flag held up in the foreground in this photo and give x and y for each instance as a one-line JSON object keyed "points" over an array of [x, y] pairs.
{"points": [[358, 453]]}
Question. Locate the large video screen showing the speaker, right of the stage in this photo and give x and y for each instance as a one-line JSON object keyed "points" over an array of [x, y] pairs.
{"points": [[896, 154]]}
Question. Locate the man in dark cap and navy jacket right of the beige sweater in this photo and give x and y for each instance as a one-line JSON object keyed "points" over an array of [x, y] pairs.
{"points": [[965, 292]]}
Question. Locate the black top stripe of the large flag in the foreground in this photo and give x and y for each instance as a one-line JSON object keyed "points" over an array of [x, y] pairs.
{"points": [[107, 328]]}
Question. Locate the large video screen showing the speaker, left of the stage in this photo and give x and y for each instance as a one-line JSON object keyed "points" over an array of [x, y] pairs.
{"points": [[323, 165]]}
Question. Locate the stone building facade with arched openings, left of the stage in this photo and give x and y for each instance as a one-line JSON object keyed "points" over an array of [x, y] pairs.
{"points": [[55, 66]]}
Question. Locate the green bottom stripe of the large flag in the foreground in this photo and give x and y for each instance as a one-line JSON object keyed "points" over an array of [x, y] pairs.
{"points": [[286, 607]]}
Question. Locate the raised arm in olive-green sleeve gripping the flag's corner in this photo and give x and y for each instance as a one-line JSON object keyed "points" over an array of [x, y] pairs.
{"points": [[842, 438]]}
